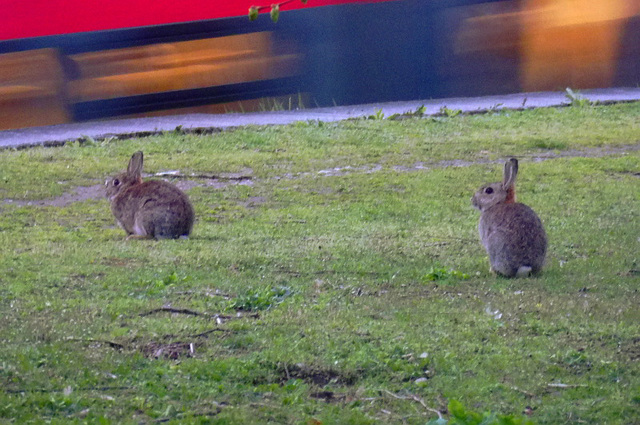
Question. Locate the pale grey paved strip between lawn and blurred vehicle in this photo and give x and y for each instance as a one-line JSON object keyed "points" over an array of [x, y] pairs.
{"points": [[59, 134]]}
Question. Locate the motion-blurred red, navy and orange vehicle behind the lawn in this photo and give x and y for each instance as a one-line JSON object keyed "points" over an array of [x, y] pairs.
{"points": [[76, 60]]}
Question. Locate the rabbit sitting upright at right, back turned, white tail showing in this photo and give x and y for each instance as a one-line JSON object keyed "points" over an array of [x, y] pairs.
{"points": [[511, 232]]}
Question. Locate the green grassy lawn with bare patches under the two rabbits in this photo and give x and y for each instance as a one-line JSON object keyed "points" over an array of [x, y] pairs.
{"points": [[334, 276]]}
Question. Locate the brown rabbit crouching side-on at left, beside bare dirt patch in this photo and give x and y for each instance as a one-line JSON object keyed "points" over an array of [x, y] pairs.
{"points": [[150, 209]]}
